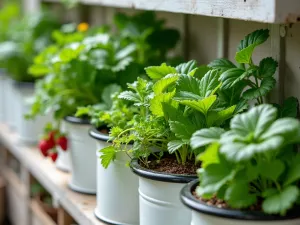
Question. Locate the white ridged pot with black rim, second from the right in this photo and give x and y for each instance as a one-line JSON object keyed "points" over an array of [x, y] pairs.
{"points": [[159, 197]]}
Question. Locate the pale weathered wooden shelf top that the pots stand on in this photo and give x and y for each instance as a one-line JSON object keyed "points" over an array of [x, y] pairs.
{"points": [[79, 206]]}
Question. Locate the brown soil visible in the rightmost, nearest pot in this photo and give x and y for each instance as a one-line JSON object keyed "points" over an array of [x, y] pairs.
{"points": [[223, 205]]}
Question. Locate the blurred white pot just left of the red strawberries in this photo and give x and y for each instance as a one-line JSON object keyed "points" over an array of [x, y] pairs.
{"points": [[28, 130]]}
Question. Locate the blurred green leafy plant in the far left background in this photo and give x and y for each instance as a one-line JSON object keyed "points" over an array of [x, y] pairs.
{"points": [[25, 38]]}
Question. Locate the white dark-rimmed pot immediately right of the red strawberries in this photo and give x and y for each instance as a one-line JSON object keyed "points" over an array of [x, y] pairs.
{"points": [[82, 154]]}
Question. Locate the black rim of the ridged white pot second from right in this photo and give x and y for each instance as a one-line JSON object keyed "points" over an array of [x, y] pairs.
{"points": [[159, 176]]}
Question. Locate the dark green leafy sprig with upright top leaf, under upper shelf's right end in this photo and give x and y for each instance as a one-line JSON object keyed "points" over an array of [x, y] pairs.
{"points": [[247, 80]]}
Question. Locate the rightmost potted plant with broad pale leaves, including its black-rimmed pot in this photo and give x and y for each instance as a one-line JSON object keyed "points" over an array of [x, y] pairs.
{"points": [[253, 177]]}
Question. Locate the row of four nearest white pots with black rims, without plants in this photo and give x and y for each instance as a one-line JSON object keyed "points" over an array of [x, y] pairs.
{"points": [[150, 198]]}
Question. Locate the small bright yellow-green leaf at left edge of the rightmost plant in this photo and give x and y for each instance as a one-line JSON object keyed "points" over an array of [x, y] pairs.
{"points": [[209, 156]]}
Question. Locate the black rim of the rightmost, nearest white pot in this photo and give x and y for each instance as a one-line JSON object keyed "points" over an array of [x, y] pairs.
{"points": [[188, 199]]}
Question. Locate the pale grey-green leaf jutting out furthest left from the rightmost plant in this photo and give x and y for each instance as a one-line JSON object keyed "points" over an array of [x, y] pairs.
{"points": [[206, 136]]}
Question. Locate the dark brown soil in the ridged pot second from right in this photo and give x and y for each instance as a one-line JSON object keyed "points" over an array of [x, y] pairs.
{"points": [[169, 164]]}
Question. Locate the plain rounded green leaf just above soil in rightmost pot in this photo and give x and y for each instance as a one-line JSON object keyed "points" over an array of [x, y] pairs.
{"points": [[237, 195]]}
